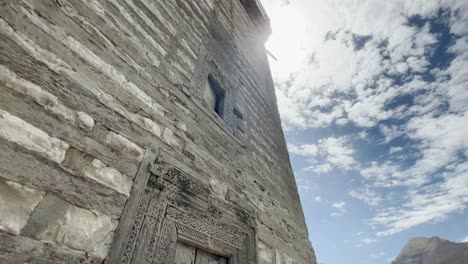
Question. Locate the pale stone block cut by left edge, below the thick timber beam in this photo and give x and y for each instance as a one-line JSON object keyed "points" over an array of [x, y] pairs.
{"points": [[16, 205]]}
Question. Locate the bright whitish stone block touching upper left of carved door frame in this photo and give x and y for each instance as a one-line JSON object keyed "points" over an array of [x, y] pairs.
{"points": [[108, 176]]}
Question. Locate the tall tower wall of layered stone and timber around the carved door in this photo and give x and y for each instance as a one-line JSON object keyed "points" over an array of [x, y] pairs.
{"points": [[86, 86]]}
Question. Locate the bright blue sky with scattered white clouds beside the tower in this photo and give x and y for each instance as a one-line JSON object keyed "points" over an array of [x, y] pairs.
{"points": [[373, 97]]}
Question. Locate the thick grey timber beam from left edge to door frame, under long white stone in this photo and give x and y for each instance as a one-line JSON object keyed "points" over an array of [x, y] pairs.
{"points": [[20, 166]]}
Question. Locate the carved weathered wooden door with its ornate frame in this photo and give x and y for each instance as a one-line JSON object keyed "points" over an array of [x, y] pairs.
{"points": [[172, 218]]}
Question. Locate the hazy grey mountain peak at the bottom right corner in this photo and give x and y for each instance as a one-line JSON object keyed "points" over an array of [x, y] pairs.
{"points": [[433, 251]]}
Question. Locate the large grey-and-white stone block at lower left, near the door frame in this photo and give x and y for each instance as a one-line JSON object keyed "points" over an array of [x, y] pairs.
{"points": [[63, 224]]}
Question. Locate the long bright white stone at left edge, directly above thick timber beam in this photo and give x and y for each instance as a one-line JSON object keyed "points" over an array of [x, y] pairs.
{"points": [[32, 138]]}
